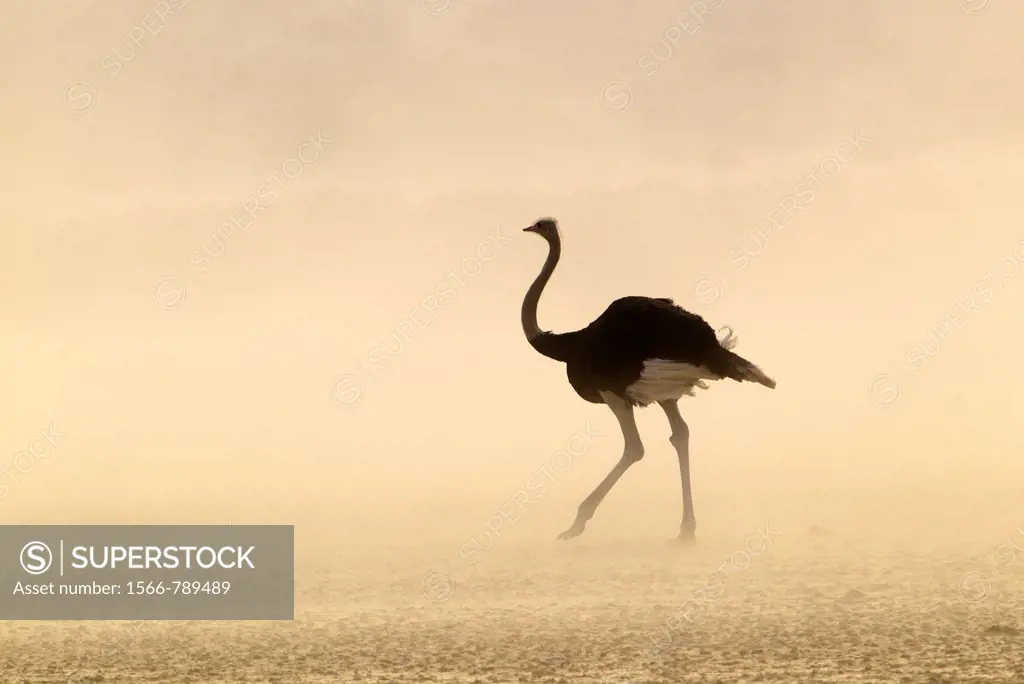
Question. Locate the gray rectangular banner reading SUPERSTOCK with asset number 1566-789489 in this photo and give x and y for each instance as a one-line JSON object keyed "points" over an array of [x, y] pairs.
{"points": [[147, 572]]}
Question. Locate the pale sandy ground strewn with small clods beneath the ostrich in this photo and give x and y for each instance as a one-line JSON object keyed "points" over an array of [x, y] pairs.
{"points": [[806, 605]]}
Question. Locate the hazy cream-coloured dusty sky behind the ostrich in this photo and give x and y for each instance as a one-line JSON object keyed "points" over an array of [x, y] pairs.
{"points": [[661, 140]]}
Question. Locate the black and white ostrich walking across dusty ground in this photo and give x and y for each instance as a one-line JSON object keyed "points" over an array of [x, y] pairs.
{"points": [[639, 352]]}
